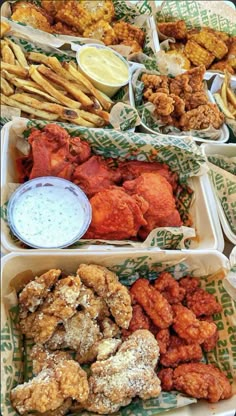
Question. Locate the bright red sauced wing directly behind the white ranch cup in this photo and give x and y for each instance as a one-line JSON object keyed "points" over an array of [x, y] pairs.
{"points": [[54, 151]]}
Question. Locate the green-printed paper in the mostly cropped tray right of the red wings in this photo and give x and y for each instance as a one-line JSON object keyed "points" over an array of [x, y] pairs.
{"points": [[223, 176]]}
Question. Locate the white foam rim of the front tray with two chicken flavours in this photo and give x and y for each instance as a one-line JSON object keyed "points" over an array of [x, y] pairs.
{"points": [[37, 262]]}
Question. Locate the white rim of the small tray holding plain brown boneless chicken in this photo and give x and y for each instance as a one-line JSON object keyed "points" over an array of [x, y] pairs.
{"points": [[224, 131]]}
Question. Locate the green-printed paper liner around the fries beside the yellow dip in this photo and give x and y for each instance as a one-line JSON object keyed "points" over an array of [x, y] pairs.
{"points": [[123, 116]]}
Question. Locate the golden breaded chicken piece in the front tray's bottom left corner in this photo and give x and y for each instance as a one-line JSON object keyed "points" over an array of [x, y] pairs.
{"points": [[48, 390]]}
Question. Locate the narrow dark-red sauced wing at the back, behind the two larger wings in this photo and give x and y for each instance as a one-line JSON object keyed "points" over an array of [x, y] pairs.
{"points": [[131, 169]]}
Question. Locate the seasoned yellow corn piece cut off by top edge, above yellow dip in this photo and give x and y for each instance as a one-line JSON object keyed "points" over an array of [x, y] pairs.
{"points": [[83, 14]]}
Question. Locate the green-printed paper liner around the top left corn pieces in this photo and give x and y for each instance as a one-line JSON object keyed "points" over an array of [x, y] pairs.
{"points": [[135, 13]]}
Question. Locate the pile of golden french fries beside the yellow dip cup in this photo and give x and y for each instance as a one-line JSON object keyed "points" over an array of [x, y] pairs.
{"points": [[45, 88]]}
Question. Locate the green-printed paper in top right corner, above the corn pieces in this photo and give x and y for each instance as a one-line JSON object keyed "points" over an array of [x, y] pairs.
{"points": [[217, 15]]}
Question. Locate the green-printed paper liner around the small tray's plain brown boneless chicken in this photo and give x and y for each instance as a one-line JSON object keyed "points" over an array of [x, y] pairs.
{"points": [[146, 110]]}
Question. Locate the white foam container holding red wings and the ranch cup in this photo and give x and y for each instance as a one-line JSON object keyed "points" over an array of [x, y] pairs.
{"points": [[204, 212]]}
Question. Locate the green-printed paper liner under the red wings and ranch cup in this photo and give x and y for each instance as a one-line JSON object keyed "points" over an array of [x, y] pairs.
{"points": [[183, 157]]}
